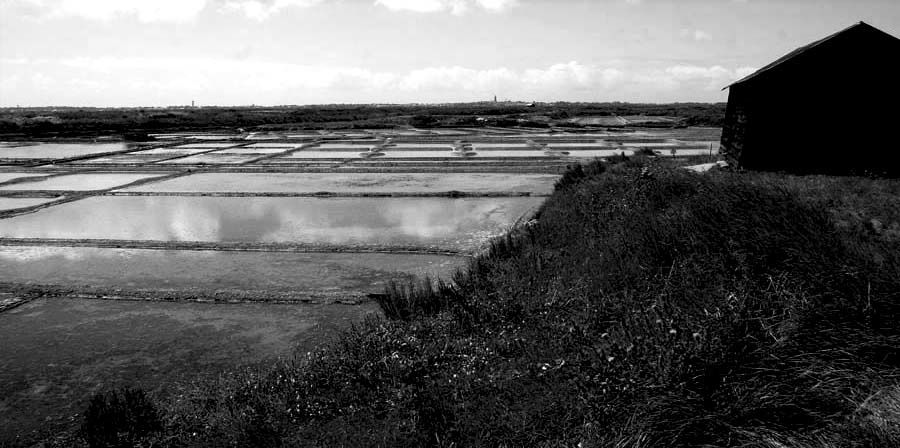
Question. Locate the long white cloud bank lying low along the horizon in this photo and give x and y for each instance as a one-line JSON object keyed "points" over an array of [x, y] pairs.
{"points": [[167, 81]]}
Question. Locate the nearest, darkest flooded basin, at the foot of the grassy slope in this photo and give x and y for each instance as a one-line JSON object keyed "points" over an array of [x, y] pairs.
{"points": [[56, 353]]}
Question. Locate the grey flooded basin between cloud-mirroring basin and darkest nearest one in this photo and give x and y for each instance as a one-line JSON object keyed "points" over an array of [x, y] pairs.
{"points": [[291, 275]]}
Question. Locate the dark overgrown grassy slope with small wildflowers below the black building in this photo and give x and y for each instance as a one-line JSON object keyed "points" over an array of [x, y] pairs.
{"points": [[645, 307]]}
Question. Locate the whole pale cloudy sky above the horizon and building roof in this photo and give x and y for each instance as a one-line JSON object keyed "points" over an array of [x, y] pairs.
{"points": [[279, 52]]}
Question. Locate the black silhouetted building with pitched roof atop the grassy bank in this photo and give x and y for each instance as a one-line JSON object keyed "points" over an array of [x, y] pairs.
{"points": [[828, 107]]}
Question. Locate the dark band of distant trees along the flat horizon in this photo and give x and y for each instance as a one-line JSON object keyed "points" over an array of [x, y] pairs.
{"points": [[79, 121]]}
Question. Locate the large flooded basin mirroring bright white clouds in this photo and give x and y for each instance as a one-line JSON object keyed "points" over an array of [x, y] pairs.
{"points": [[452, 224]]}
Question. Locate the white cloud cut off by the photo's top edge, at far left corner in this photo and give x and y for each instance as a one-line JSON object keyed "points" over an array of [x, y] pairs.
{"points": [[145, 10]]}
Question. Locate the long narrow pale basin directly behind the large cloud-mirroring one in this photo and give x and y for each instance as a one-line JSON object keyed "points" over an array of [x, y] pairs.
{"points": [[361, 183]]}
